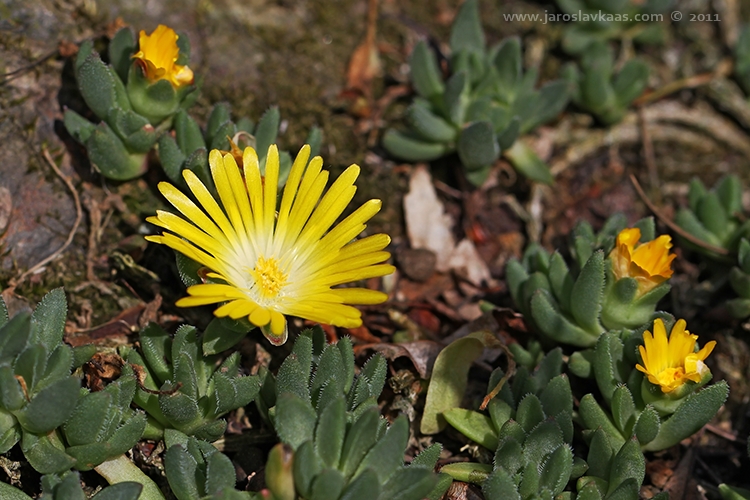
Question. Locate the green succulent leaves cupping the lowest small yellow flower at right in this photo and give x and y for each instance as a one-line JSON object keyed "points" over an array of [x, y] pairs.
{"points": [[639, 409]]}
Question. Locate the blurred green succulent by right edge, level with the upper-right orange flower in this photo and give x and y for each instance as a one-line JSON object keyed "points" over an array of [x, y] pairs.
{"points": [[715, 216]]}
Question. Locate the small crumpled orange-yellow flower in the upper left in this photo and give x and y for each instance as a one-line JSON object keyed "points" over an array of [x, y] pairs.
{"points": [[158, 54]]}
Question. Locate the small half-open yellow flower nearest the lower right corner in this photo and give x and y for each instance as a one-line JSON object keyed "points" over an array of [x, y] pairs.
{"points": [[670, 363]]}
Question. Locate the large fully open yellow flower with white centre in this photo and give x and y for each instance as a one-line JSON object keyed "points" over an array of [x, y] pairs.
{"points": [[263, 264]]}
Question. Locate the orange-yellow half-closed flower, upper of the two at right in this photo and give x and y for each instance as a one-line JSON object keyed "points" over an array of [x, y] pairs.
{"points": [[650, 263]]}
